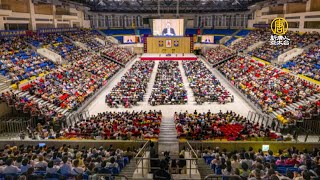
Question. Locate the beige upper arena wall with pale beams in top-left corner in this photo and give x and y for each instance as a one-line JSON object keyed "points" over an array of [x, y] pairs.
{"points": [[15, 14]]}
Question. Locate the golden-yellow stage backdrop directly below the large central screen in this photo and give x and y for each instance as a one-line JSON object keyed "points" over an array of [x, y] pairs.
{"points": [[169, 44]]}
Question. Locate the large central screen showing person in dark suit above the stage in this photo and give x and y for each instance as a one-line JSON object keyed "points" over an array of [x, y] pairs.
{"points": [[168, 27]]}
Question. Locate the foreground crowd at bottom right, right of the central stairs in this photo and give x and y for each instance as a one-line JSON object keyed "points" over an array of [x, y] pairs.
{"points": [[286, 164]]}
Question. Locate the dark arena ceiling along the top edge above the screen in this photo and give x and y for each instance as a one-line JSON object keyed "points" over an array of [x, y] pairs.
{"points": [[167, 6]]}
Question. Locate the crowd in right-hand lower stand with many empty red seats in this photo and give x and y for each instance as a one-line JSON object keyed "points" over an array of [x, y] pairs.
{"points": [[268, 87]]}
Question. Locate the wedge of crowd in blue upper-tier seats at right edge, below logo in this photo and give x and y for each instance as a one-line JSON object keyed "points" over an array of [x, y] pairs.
{"points": [[307, 63]]}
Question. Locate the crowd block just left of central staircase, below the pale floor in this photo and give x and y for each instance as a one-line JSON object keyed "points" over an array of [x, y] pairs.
{"points": [[117, 125]]}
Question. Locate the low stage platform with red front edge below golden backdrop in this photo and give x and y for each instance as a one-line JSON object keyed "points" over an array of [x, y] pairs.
{"points": [[168, 57]]}
